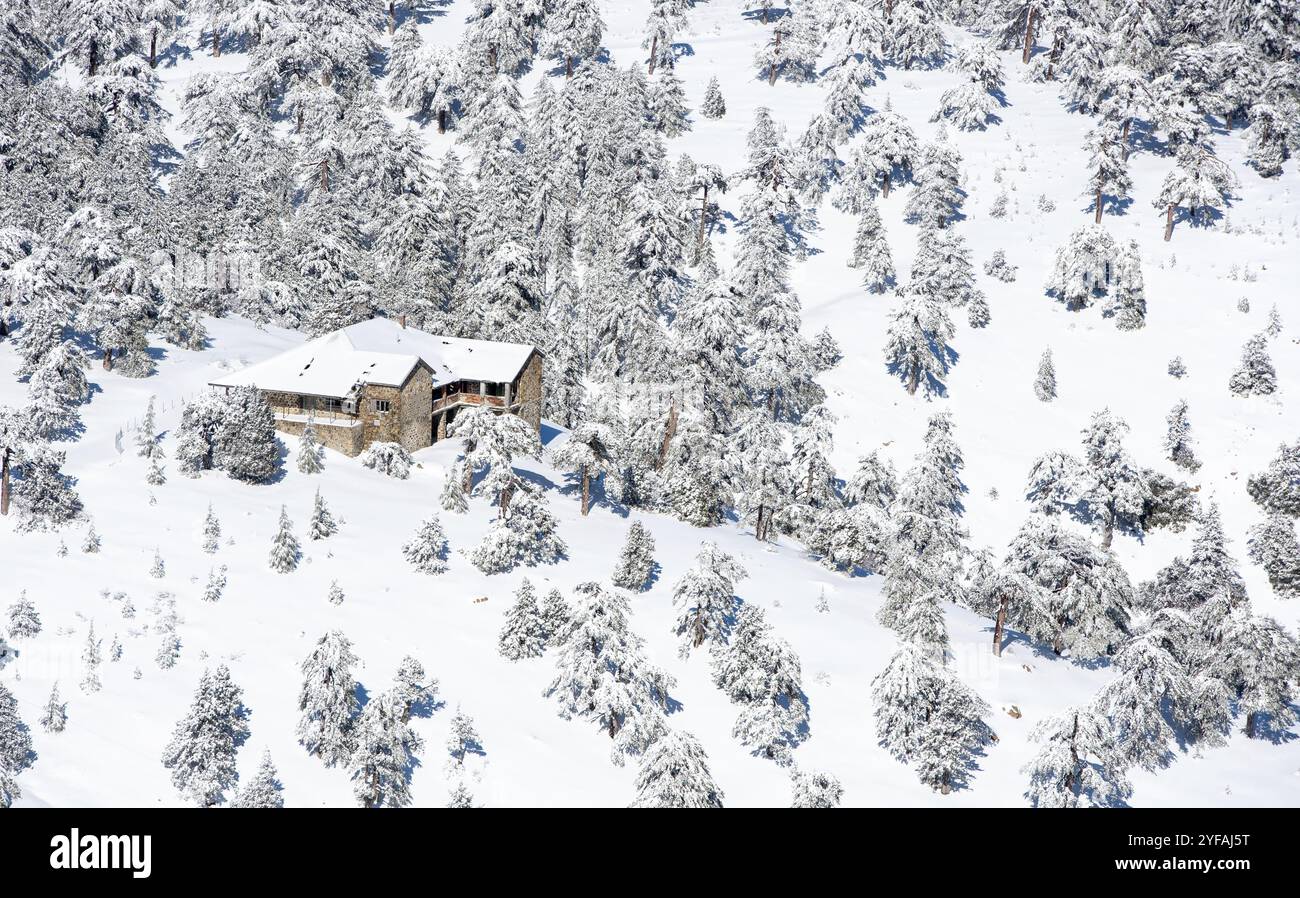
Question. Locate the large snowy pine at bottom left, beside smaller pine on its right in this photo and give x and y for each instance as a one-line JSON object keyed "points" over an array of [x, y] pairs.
{"points": [[202, 752]]}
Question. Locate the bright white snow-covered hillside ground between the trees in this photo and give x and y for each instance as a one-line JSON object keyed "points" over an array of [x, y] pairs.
{"points": [[267, 623]]}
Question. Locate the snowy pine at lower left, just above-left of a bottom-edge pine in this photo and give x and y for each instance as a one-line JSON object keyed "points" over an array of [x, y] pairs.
{"points": [[328, 700]]}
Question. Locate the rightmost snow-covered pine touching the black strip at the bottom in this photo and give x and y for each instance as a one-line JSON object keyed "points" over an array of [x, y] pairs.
{"points": [[1078, 765]]}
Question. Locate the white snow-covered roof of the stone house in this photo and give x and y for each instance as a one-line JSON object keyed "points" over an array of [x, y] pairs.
{"points": [[380, 352]]}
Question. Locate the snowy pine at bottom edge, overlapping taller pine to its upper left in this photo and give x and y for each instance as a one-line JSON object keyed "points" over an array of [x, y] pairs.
{"points": [[384, 757]]}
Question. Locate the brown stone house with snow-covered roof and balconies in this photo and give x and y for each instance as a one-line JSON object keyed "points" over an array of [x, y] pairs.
{"points": [[382, 381]]}
